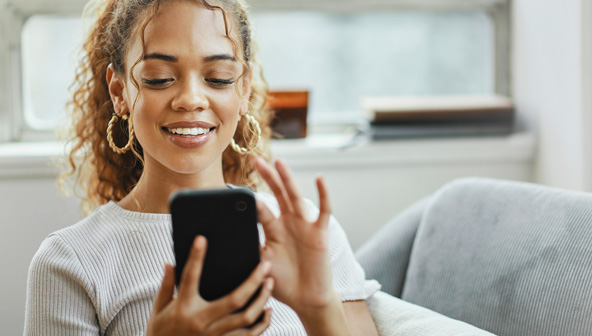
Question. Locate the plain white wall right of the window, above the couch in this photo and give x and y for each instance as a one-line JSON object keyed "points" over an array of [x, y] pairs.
{"points": [[547, 86]]}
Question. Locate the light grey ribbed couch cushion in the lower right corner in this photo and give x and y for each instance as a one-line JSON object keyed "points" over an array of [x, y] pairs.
{"points": [[512, 258]]}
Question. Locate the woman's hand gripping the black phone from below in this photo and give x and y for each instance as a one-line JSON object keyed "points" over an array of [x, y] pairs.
{"points": [[190, 314]]}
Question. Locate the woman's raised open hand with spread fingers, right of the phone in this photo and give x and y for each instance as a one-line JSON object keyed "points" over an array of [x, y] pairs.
{"points": [[297, 246]]}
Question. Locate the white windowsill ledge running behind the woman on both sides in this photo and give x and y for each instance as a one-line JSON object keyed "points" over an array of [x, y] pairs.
{"points": [[318, 151]]}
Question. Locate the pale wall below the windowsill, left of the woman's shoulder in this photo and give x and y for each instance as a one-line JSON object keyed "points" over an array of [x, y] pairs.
{"points": [[31, 208]]}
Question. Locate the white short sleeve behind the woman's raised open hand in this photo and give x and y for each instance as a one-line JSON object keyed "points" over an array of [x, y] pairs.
{"points": [[349, 278]]}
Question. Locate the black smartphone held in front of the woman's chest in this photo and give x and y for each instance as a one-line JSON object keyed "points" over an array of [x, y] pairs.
{"points": [[227, 218]]}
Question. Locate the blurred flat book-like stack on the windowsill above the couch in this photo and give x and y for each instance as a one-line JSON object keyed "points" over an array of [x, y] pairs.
{"points": [[406, 117]]}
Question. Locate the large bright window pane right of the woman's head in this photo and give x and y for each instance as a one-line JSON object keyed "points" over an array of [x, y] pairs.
{"points": [[341, 58]]}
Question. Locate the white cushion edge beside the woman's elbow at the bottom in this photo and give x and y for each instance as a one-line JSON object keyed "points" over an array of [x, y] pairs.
{"points": [[394, 316]]}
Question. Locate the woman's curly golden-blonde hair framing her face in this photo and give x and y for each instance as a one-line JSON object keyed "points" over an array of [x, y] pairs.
{"points": [[94, 168]]}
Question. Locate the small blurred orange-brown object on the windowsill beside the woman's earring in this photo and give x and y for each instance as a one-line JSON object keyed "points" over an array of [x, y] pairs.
{"points": [[291, 109]]}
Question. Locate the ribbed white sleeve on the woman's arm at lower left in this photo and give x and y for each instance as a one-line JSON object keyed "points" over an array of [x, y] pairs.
{"points": [[59, 293]]}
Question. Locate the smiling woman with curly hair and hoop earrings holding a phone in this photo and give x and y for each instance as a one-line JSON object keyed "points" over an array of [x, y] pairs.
{"points": [[165, 88]]}
